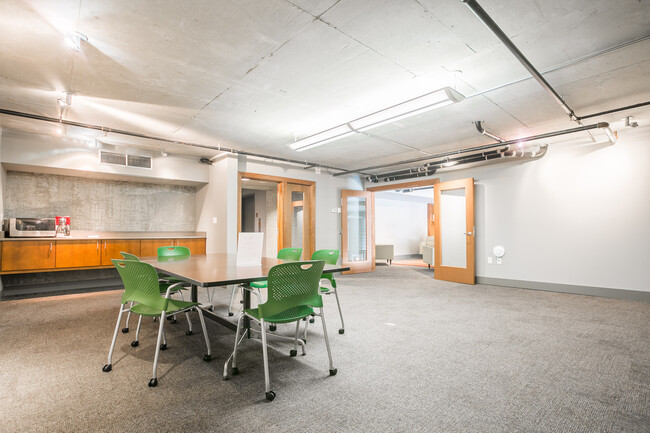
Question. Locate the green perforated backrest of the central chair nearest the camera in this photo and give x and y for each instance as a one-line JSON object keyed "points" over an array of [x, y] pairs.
{"points": [[291, 285]]}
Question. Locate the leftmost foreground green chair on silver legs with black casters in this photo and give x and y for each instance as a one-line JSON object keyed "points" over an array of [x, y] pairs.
{"points": [[142, 288]]}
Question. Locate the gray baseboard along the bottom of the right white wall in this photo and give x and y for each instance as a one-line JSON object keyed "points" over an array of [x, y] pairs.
{"points": [[629, 295]]}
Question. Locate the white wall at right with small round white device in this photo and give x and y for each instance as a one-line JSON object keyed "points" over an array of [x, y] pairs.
{"points": [[578, 216]]}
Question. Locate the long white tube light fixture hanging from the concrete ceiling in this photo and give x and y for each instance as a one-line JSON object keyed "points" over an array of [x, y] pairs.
{"points": [[412, 107]]}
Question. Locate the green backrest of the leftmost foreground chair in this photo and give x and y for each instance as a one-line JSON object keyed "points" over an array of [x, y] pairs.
{"points": [[140, 283]]}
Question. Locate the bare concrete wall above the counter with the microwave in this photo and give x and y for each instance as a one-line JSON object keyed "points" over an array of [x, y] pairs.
{"points": [[101, 205]]}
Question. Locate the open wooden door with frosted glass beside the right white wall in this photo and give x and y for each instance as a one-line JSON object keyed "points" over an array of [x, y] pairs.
{"points": [[455, 236]]}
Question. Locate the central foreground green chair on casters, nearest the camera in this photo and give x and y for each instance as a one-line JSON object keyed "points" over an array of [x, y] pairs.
{"points": [[293, 293]]}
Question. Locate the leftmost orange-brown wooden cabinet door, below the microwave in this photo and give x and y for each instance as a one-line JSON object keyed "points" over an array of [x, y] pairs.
{"points": [[26, 255]]}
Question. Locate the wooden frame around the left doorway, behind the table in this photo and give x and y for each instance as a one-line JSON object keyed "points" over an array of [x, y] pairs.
{"points": [[281, 188]]}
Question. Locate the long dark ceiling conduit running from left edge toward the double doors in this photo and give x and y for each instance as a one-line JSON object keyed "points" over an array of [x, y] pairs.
{"points": [[166, 140]]}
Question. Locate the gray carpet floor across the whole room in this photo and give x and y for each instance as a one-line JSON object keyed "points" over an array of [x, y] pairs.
{"points": [[418, 355]]}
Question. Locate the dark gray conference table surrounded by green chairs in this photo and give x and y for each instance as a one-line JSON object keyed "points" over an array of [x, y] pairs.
{"points": [[210, 270]]}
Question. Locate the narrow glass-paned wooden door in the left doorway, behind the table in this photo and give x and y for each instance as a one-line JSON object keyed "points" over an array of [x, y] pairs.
{"points": [[297, 218]]}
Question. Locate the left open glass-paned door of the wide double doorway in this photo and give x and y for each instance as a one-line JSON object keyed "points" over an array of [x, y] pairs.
{"points": [[357, 230]]}
